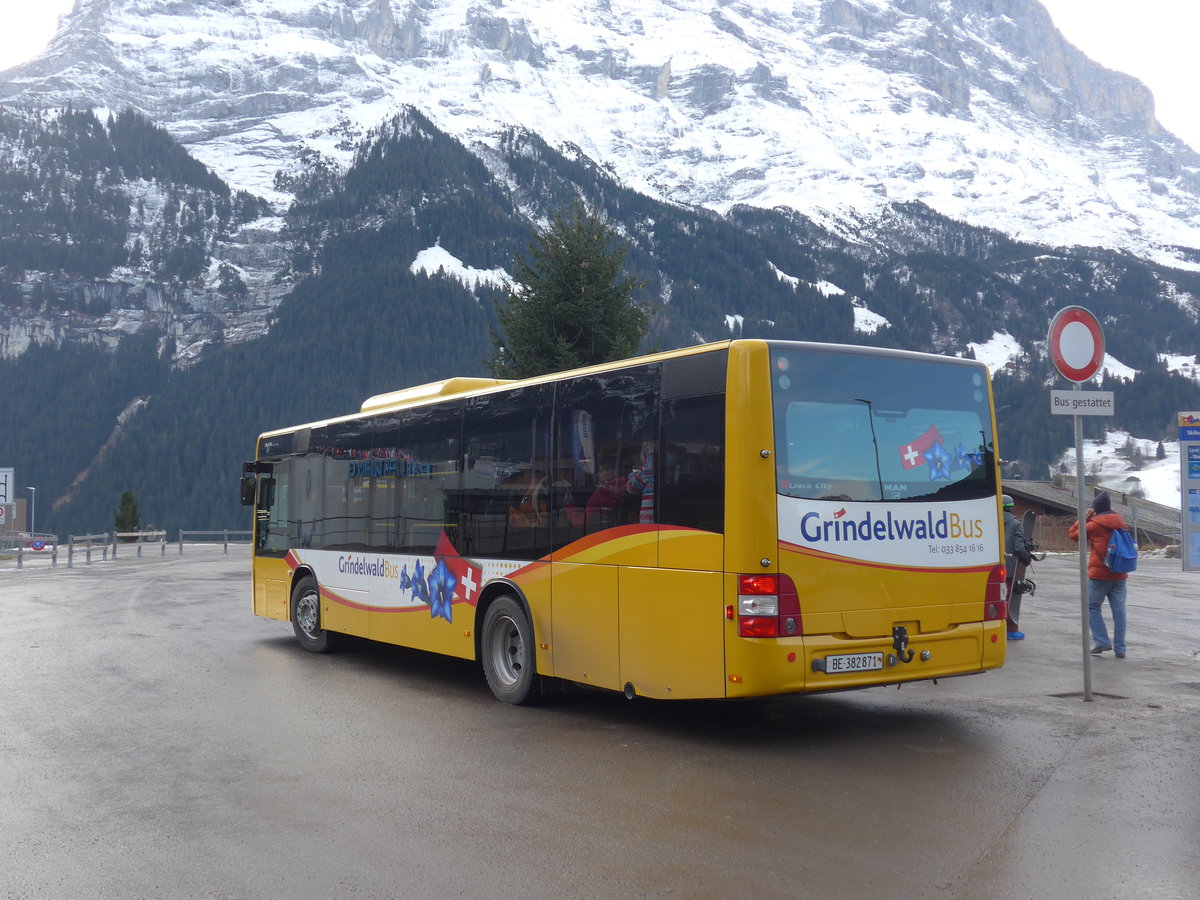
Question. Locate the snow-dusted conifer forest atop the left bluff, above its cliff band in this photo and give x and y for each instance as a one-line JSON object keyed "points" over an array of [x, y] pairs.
{"points": [[67, 184]]}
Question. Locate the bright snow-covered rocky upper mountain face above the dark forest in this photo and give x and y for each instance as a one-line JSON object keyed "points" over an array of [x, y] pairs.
{"points": [[836, 109]]}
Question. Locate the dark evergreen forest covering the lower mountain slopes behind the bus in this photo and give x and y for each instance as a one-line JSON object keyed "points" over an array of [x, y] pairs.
{"points": [[359, 322]]}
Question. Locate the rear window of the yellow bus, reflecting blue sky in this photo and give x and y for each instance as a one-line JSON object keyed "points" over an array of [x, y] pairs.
{"points": [[880, 428]]}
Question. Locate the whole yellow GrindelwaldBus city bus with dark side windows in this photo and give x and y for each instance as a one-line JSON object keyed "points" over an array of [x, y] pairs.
{"points": [[730, 520]]}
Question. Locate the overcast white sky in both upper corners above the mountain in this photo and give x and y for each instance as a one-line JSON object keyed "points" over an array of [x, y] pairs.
{"points": [[1153, 40]]}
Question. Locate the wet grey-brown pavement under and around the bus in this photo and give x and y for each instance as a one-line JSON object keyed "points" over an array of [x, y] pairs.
{"points": [[159, 741]]}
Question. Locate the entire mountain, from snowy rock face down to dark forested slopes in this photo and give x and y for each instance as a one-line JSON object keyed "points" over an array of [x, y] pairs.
{"points": [[814, 158]]}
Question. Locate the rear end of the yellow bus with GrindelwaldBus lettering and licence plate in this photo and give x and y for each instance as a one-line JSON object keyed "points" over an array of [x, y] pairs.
{"points": [[886, 495]]}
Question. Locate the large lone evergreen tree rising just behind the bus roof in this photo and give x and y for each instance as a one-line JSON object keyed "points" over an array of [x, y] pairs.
{"points": [[569, 307]]}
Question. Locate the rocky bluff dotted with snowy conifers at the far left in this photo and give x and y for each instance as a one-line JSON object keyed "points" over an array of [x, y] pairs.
{"points": [[109, 229]]}
